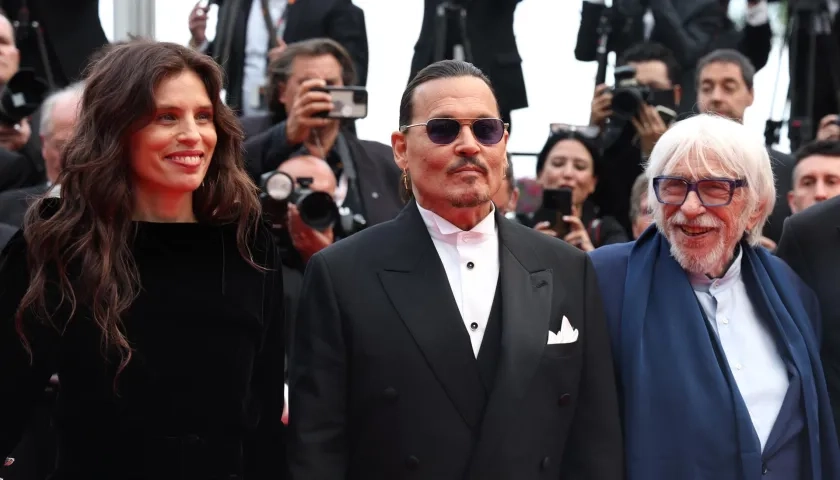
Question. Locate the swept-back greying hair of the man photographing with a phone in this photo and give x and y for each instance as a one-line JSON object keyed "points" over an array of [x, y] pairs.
{"points": [[280, 70]]}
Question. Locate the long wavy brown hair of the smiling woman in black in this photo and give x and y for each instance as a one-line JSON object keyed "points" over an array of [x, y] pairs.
{"points": [[83, 247]]}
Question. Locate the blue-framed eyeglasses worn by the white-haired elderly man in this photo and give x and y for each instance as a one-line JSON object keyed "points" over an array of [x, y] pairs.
{"points": [[712, 192]]}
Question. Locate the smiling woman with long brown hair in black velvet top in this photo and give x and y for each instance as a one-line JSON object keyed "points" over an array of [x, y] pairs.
{"points": [[151, 286]]}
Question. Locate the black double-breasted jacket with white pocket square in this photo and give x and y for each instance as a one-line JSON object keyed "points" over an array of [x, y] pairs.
{"points": [[383, 379]]}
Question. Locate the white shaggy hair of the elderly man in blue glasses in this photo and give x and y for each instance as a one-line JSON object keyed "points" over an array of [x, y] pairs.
{"points": [[741, 153]]}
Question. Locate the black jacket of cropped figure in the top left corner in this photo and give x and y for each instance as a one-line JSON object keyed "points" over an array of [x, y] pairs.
{"points": [[72, 33]]}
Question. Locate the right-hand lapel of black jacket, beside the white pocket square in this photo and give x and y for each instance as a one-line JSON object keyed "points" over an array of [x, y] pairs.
{"points": [[528, 291]]}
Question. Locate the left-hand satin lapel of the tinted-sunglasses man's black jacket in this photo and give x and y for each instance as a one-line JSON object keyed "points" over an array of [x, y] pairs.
{"points": [[417, 285]]}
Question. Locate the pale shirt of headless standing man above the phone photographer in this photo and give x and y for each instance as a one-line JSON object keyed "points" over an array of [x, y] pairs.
{"points": [[256, 51]]}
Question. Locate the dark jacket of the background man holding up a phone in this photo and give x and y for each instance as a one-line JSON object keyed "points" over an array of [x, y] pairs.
{"points": [[378, 175]]}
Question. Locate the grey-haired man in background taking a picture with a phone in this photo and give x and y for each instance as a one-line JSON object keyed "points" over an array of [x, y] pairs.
{"points": [[367, 178]]}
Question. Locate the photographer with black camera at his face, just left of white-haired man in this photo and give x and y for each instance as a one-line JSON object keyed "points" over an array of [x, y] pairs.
{"points": [[630, 128]]}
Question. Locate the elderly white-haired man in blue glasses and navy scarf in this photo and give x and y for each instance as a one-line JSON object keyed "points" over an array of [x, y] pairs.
{"points": [[715, 340]]}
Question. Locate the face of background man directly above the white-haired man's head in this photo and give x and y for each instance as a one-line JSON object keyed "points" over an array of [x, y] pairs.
{"points": [[723, 91]]}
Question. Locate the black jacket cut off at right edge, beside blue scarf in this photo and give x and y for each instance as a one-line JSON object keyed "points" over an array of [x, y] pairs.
{"points": [[811, 246]]}
